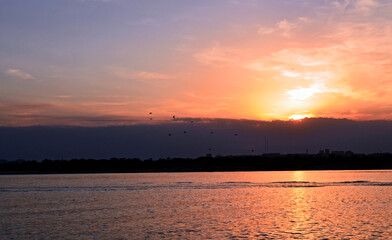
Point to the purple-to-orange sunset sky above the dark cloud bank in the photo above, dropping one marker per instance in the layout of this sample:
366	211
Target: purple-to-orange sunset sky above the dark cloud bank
111	62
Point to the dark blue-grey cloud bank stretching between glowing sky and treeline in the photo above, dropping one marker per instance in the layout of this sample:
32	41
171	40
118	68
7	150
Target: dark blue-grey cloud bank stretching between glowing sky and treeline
202	136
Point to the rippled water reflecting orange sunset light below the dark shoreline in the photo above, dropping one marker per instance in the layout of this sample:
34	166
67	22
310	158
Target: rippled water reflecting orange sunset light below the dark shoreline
224	205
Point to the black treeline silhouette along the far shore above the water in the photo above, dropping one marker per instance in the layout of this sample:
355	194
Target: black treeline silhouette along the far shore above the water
265	162
